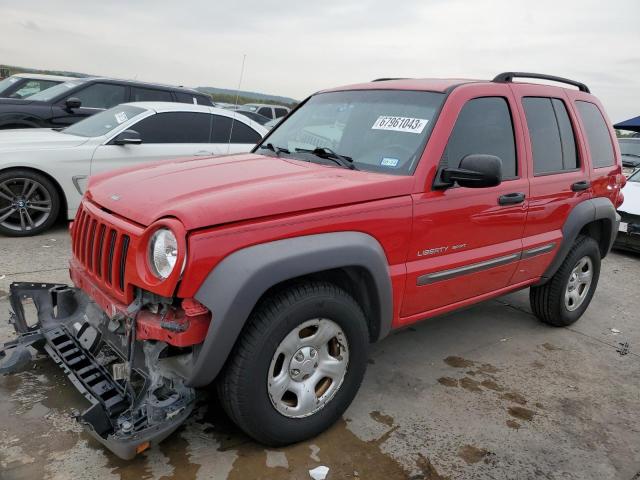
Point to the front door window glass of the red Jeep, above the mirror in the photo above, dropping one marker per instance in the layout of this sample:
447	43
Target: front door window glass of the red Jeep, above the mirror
484	126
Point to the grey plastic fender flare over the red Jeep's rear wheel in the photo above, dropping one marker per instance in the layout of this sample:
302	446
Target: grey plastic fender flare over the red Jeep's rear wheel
581	215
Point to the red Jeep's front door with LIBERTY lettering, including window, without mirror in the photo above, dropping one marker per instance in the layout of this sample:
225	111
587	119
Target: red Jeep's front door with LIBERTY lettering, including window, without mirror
466	242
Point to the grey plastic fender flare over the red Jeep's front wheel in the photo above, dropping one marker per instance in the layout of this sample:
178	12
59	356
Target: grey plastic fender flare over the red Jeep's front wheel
235	285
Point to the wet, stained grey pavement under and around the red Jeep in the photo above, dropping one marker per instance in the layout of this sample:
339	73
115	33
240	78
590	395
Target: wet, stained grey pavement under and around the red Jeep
484	393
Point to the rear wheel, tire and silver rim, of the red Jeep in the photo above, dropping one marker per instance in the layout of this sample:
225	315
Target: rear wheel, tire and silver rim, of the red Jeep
565	297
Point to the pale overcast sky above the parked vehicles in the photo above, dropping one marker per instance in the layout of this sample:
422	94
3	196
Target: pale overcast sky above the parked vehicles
297	47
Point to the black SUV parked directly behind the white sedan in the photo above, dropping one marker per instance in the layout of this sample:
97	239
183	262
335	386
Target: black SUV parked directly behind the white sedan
72	101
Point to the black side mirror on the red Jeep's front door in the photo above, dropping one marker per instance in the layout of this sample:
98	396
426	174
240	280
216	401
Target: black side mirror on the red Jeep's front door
475	171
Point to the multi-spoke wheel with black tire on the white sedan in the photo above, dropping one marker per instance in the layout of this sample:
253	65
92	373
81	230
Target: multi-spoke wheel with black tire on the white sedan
29	203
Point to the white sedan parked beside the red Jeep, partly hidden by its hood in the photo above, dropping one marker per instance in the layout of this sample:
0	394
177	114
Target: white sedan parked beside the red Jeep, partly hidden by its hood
43	172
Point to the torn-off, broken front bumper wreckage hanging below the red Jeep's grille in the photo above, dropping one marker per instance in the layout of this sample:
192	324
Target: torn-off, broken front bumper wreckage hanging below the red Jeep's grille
126	366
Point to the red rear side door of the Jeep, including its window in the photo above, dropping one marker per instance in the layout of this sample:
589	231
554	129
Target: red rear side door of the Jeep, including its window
558	168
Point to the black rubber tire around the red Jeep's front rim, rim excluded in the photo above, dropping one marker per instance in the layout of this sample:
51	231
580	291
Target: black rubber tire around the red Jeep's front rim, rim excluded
242	386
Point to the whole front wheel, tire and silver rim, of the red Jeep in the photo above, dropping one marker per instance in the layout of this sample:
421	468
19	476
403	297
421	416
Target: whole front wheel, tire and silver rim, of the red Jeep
297	365
